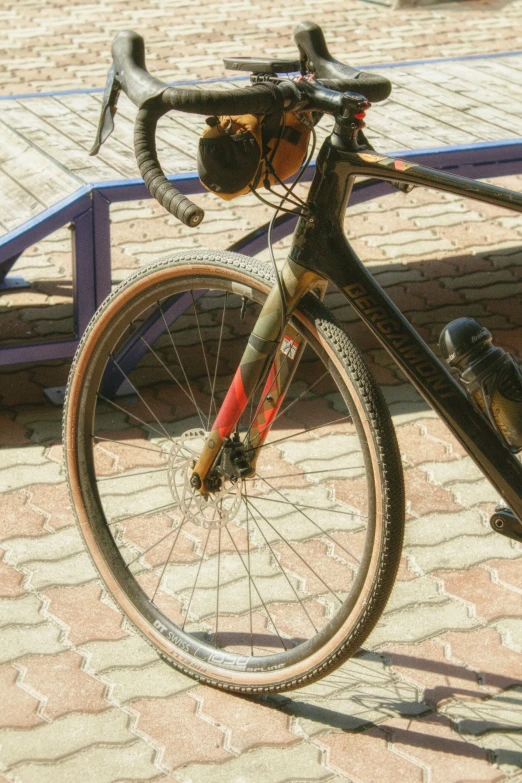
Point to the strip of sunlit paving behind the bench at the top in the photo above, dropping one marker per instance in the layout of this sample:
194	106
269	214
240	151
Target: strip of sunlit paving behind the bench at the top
53	44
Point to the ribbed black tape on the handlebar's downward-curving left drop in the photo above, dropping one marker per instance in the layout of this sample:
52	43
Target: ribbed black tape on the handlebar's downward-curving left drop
155	180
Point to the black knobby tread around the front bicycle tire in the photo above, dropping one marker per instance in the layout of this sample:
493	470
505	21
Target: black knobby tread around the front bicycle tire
385	442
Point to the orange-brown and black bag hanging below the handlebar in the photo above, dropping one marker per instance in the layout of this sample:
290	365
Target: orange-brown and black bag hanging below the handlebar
237	154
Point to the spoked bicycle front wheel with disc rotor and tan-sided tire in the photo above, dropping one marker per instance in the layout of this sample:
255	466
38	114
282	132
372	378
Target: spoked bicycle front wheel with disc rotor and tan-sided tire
267	582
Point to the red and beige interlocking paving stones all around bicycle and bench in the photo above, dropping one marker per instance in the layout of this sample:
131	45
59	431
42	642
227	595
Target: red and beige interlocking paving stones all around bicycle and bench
436	695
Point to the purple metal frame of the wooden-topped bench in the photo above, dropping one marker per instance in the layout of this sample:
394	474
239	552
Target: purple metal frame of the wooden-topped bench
87	212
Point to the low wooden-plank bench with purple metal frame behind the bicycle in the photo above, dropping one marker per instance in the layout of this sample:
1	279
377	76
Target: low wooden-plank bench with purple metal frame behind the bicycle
438	114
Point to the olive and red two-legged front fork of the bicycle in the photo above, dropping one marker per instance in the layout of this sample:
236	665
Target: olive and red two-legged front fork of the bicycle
261	360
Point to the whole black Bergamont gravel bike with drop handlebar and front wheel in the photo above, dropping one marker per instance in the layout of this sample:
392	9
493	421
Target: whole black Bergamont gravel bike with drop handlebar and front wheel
231	459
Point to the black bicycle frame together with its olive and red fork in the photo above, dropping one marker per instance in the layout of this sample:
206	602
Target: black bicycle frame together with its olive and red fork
320	252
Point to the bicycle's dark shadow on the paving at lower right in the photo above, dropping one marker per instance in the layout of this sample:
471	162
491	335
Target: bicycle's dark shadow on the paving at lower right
422	714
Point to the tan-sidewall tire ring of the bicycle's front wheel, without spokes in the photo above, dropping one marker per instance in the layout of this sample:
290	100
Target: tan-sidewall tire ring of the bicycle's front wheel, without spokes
246	274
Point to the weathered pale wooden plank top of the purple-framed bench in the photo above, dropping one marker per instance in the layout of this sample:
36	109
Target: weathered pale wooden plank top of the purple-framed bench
44	155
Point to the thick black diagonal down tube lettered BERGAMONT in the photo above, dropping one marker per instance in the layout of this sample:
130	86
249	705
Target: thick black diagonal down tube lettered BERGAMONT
427	373
